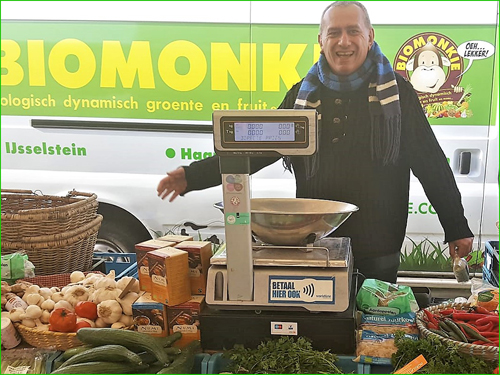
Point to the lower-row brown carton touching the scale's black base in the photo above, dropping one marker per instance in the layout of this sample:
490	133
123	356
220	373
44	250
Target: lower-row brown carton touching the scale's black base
185	318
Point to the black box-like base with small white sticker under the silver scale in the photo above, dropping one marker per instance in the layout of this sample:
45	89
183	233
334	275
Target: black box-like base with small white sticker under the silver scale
334	331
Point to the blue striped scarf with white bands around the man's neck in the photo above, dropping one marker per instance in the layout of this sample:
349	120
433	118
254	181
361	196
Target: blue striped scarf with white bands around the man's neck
383	102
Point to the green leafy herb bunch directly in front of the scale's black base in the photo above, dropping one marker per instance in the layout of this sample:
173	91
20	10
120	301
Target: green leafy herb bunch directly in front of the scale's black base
282	356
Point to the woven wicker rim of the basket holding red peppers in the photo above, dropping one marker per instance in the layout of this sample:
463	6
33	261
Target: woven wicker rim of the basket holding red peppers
488	353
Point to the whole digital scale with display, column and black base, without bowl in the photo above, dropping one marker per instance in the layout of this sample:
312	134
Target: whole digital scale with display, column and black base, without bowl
279	286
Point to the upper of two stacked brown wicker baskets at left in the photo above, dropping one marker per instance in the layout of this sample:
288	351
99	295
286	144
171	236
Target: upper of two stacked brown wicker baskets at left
27	214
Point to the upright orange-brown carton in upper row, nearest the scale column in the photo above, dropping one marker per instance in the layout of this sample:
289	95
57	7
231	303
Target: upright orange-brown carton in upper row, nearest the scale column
200	253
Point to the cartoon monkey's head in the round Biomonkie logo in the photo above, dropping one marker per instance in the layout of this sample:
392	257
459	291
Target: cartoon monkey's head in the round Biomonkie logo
427	66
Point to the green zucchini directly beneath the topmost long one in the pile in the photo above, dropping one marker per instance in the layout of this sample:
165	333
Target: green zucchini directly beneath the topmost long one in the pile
116	353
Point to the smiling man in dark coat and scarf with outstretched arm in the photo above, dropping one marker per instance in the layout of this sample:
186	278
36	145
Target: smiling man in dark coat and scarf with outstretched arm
373	132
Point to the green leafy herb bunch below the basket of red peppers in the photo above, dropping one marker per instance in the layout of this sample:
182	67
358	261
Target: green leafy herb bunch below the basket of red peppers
441	358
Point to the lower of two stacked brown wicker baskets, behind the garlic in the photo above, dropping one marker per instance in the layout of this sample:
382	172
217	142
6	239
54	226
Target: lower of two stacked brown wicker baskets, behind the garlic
59	253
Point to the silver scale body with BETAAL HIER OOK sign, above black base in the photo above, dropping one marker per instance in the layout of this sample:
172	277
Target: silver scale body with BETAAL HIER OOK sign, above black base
291	286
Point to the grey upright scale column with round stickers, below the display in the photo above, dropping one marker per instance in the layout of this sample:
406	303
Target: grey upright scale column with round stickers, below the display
237	224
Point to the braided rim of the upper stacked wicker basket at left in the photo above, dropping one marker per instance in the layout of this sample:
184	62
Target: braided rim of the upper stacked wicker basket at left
24	194
